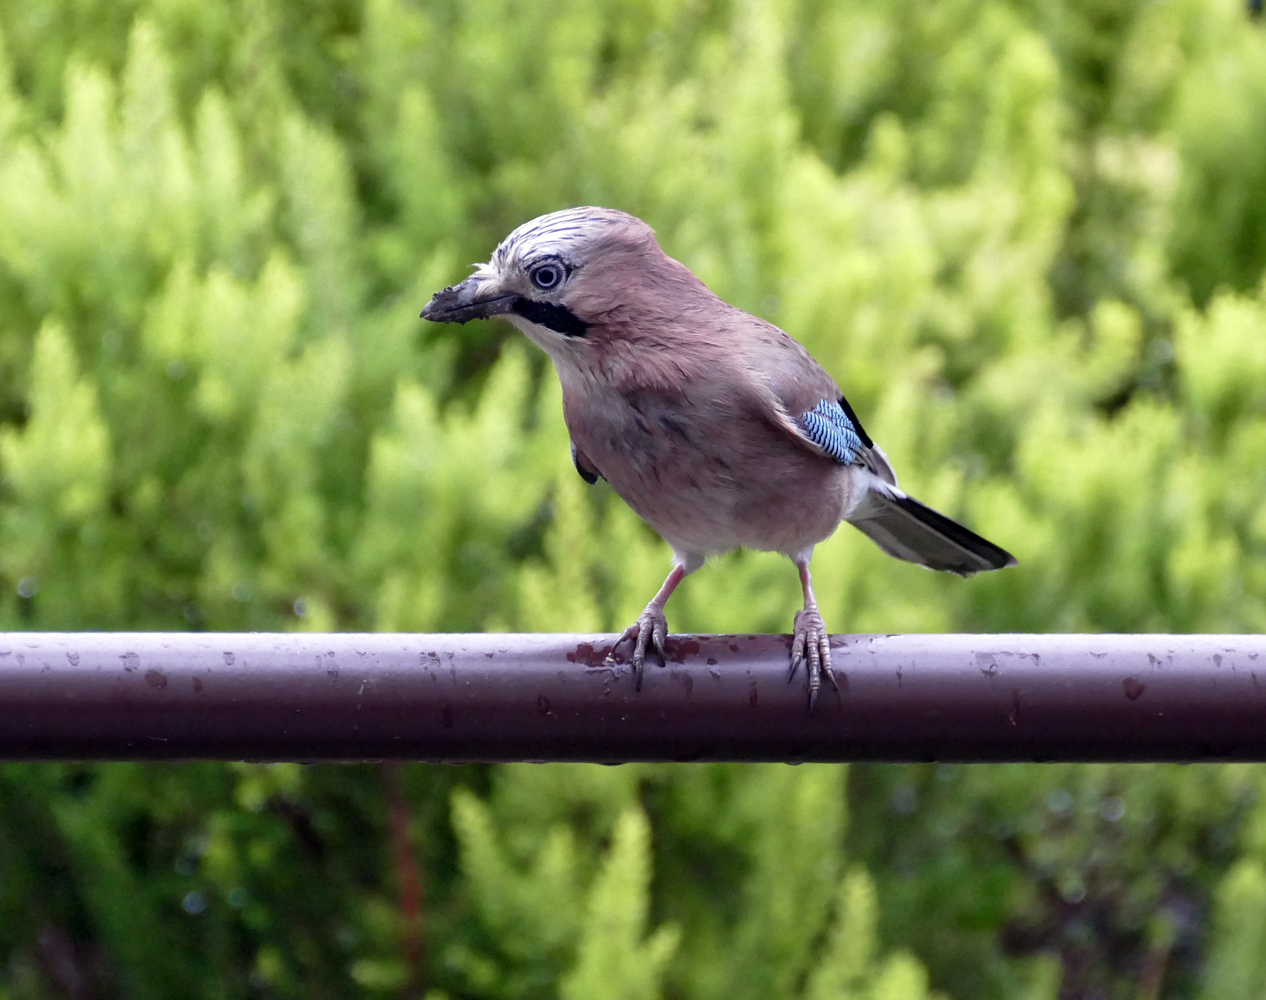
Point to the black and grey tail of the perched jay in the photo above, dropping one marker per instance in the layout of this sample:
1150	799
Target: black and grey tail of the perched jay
911	531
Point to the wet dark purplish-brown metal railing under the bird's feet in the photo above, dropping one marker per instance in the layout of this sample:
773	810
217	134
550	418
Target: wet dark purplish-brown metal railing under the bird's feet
551	698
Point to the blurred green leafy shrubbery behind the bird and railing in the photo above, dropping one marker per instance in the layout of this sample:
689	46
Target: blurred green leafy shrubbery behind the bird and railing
1027	237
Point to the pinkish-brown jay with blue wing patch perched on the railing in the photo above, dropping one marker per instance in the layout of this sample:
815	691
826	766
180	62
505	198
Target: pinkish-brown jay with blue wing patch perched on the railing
715	426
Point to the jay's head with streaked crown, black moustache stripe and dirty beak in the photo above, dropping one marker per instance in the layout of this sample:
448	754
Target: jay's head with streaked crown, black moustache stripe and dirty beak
559	277
